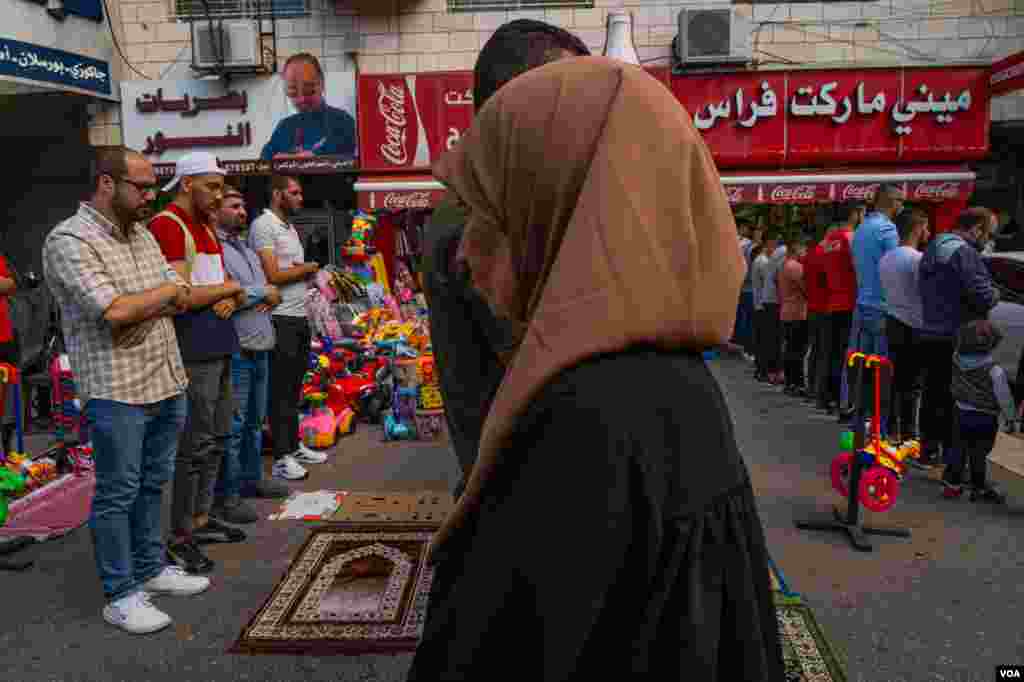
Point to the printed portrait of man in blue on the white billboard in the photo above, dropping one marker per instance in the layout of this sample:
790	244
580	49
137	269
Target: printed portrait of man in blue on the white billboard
317	130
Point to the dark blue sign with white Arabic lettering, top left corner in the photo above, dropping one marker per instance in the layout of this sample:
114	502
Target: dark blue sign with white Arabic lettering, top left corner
56	67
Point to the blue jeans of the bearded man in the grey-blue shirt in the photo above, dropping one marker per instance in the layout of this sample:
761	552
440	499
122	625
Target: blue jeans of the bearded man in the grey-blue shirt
243	465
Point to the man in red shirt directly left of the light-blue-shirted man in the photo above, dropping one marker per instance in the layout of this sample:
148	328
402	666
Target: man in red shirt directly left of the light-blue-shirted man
840	301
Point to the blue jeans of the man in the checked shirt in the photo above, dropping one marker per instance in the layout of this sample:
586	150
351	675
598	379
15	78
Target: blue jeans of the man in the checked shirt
134	450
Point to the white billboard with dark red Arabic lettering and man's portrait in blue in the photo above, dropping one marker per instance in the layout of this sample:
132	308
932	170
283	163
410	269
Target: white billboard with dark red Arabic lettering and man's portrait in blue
246	124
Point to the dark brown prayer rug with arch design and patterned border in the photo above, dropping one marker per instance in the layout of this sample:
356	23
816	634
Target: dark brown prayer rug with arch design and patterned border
353	589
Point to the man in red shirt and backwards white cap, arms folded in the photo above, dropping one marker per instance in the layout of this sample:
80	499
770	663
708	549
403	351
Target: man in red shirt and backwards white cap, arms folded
208	340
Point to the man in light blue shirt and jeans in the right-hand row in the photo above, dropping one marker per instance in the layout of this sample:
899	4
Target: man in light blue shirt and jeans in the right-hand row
873	239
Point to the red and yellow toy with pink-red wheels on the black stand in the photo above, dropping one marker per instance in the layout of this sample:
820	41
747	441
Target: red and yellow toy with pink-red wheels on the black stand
885	463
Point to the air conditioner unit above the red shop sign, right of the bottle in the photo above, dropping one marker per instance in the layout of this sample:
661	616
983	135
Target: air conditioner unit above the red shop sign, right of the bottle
713	36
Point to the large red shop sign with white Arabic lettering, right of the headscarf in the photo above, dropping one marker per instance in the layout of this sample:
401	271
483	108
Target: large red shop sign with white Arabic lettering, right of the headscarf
815	117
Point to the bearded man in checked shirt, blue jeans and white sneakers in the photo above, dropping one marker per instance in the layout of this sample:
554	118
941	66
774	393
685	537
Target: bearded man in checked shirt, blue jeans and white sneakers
117	294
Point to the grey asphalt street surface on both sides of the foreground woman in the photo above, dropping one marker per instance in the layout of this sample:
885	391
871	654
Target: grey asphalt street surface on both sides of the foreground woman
944	606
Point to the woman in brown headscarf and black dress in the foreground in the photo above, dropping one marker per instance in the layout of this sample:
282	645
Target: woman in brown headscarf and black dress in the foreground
609	529
